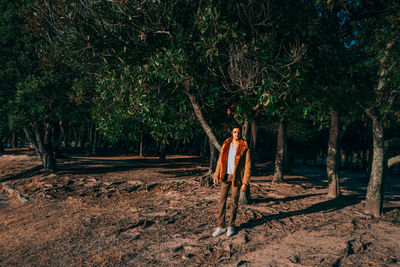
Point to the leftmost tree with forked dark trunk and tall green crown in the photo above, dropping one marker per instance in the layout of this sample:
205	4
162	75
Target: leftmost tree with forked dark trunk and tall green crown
39	84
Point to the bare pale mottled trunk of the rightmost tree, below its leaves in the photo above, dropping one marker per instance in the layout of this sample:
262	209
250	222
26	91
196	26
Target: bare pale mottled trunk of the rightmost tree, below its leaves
374	198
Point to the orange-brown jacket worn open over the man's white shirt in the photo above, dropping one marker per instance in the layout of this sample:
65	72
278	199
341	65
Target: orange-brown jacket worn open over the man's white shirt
241	174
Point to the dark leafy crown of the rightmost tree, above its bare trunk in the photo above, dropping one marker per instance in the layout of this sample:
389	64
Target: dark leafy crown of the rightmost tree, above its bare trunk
377	45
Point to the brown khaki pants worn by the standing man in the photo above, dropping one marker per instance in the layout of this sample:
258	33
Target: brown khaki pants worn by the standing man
226	184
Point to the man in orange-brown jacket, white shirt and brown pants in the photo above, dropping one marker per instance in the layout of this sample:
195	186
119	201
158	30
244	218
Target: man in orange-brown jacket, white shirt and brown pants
233	170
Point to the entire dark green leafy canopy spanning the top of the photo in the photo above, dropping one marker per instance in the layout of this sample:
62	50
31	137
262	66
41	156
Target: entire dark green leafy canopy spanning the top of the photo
131	63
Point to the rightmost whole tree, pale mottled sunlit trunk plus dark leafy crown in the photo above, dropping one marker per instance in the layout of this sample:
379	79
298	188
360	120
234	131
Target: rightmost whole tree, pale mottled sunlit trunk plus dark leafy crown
377	42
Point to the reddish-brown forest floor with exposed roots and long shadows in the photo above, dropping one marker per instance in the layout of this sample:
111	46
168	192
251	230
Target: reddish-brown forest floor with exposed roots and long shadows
125	210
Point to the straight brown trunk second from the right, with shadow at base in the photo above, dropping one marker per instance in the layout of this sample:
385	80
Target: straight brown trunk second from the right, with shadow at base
332	159
